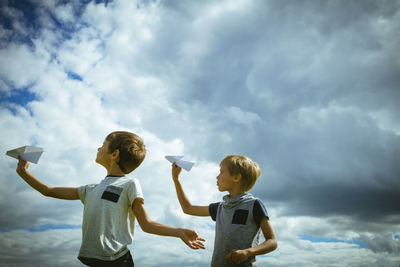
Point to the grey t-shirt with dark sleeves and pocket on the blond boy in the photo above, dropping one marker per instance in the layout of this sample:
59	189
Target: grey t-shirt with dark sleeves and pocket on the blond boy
237	227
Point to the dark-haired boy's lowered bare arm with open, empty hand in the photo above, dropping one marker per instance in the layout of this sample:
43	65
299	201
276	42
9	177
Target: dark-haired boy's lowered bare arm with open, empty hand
189	237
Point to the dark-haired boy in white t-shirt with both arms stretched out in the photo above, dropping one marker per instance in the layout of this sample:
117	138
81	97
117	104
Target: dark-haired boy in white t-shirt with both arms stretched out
110	207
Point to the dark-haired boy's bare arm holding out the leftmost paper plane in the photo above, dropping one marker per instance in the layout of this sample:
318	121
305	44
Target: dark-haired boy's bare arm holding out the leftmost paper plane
69	193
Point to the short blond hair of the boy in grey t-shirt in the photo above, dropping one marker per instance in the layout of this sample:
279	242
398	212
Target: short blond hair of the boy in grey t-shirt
239	164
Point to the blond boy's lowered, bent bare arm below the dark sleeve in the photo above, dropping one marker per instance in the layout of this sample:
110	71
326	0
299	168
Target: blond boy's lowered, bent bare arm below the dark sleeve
270	244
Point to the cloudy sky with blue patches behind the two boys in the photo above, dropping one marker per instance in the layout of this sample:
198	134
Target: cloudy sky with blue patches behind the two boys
310	90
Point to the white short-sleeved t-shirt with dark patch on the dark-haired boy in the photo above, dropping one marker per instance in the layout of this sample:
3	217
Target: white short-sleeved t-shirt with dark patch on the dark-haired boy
108	218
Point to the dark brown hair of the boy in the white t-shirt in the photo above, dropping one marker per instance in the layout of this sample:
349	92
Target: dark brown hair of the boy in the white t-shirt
132	150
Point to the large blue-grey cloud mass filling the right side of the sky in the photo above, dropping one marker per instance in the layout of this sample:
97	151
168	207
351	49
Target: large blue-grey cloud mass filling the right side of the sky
282	57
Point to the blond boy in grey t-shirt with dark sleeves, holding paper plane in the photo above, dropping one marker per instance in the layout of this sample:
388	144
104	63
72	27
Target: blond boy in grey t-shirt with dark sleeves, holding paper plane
239	217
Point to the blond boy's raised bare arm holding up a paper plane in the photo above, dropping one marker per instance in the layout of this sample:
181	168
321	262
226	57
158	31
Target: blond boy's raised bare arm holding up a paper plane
187	207
